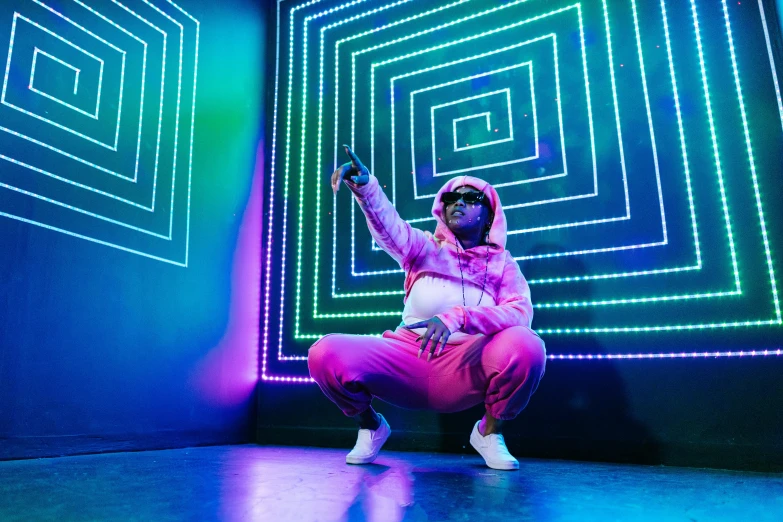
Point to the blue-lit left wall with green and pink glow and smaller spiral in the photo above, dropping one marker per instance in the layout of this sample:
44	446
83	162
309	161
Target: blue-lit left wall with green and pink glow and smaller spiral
131	179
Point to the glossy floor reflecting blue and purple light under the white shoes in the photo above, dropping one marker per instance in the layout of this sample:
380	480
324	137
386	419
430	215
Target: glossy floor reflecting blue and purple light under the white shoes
307	484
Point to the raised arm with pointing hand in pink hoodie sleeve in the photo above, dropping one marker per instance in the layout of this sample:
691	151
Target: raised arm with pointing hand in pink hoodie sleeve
392	233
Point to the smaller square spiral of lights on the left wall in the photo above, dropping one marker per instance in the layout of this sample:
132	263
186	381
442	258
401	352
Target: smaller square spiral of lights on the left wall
96	121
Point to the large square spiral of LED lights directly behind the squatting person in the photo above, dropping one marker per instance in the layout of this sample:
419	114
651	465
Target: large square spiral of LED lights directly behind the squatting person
635	199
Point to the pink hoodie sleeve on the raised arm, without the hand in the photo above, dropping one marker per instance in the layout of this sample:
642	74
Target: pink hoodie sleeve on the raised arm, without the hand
392	233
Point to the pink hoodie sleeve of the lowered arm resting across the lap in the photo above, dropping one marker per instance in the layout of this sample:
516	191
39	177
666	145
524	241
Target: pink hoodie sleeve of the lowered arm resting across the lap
513	308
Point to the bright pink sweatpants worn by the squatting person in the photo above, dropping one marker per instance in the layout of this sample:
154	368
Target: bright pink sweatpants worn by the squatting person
501	370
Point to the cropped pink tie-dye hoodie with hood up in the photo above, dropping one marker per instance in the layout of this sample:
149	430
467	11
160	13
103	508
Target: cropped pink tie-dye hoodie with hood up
420	253
